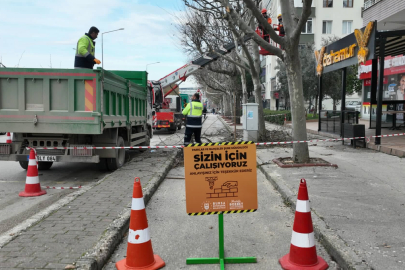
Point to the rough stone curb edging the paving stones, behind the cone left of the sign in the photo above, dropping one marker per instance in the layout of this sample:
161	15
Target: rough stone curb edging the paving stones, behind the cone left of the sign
97	257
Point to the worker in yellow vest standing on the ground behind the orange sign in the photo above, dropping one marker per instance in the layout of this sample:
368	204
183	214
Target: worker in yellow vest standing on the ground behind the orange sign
193	111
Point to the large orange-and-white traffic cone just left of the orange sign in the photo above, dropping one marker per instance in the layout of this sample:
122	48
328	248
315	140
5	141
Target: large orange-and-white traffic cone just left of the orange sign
139	250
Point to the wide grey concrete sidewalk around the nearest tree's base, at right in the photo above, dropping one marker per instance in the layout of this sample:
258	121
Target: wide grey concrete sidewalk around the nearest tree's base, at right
358	209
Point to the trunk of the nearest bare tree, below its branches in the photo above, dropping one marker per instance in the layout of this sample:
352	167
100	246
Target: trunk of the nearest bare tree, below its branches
299	132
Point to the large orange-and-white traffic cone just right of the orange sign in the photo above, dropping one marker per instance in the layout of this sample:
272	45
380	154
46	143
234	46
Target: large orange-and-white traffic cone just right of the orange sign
302	250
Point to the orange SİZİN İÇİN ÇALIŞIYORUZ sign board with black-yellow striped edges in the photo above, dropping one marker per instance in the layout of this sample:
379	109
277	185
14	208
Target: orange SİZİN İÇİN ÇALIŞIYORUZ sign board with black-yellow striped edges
220	178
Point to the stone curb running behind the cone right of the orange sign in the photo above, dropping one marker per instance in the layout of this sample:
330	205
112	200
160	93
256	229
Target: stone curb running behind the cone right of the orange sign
333	243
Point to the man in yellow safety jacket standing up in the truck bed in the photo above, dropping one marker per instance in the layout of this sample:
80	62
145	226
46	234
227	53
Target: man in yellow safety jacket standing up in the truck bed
85	50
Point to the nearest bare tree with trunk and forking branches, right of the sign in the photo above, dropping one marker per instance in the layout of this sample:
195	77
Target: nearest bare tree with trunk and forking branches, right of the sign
290	56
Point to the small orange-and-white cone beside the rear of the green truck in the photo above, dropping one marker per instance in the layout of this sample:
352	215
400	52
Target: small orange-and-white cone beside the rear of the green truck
32	186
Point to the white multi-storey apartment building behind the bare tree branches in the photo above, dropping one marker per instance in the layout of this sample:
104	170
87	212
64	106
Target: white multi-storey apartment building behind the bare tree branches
328	18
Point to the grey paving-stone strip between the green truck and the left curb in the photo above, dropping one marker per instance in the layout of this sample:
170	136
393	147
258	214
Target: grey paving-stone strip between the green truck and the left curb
68	233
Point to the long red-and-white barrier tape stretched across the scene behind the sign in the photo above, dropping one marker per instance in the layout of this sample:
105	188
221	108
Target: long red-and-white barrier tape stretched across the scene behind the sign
211	144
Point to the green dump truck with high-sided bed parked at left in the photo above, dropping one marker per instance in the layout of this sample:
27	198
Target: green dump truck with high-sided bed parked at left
73	108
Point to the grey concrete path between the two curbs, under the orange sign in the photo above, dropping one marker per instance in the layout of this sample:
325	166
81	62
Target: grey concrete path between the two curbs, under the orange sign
265	234
